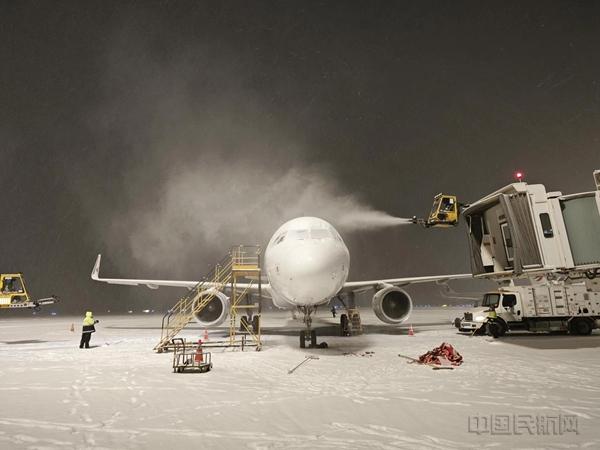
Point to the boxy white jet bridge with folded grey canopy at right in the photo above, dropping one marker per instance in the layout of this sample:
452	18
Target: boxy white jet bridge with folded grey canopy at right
522	229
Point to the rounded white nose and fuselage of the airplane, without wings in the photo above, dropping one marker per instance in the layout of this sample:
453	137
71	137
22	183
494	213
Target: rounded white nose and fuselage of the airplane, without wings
306	263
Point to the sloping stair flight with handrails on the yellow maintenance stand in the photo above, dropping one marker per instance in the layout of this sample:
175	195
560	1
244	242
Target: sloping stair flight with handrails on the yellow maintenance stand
195	301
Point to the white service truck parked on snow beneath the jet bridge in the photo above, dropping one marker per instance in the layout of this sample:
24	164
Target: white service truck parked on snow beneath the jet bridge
544	307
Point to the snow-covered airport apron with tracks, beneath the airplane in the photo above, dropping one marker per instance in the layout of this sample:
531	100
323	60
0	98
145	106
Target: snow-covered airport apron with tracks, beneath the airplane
120	394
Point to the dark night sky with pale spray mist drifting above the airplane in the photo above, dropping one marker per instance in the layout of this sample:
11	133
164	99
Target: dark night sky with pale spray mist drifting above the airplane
161	133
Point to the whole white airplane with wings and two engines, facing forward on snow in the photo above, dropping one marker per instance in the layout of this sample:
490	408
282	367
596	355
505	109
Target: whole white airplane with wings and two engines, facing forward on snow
307	265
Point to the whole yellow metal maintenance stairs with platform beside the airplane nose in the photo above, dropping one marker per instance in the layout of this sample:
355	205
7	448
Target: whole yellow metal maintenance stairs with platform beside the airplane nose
242	262
